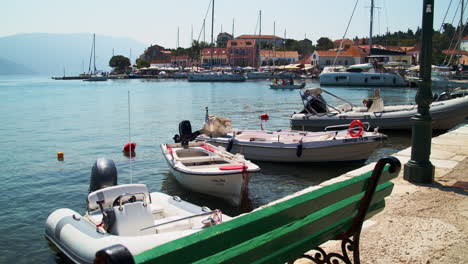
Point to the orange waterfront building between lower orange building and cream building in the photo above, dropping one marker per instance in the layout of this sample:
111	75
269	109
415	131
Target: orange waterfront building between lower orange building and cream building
243	52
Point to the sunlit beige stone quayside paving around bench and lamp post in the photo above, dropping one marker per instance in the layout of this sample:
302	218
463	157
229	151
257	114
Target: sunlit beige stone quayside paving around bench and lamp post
425	223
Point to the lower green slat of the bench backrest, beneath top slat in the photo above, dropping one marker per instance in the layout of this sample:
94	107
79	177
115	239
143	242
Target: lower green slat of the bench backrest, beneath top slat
292	240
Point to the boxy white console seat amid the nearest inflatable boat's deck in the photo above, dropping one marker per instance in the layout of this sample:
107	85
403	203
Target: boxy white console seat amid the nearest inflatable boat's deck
131	218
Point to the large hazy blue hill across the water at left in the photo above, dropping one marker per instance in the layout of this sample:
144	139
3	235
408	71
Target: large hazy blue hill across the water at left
50	54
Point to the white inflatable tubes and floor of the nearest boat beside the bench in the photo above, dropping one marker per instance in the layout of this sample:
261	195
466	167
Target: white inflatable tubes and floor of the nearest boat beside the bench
78	238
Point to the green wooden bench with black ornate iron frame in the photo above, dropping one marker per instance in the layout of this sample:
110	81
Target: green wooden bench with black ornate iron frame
284	231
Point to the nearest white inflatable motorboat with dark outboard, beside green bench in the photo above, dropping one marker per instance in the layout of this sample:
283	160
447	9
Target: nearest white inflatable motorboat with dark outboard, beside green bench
126	215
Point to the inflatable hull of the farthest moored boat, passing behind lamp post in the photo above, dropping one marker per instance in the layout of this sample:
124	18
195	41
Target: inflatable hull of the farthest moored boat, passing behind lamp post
445	115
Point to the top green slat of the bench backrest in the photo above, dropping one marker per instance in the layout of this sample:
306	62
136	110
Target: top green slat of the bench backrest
207	242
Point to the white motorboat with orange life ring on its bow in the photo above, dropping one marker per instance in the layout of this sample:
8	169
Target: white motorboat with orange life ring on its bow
345	145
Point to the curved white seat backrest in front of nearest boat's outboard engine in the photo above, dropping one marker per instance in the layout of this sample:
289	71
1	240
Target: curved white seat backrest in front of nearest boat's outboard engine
109	194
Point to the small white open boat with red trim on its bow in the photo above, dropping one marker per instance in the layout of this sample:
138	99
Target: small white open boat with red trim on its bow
204	168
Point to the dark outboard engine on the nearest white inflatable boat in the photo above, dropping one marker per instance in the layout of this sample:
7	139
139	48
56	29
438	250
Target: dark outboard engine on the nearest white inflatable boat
103	174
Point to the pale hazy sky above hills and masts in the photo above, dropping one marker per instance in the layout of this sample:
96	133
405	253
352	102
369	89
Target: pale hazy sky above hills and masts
156	22
